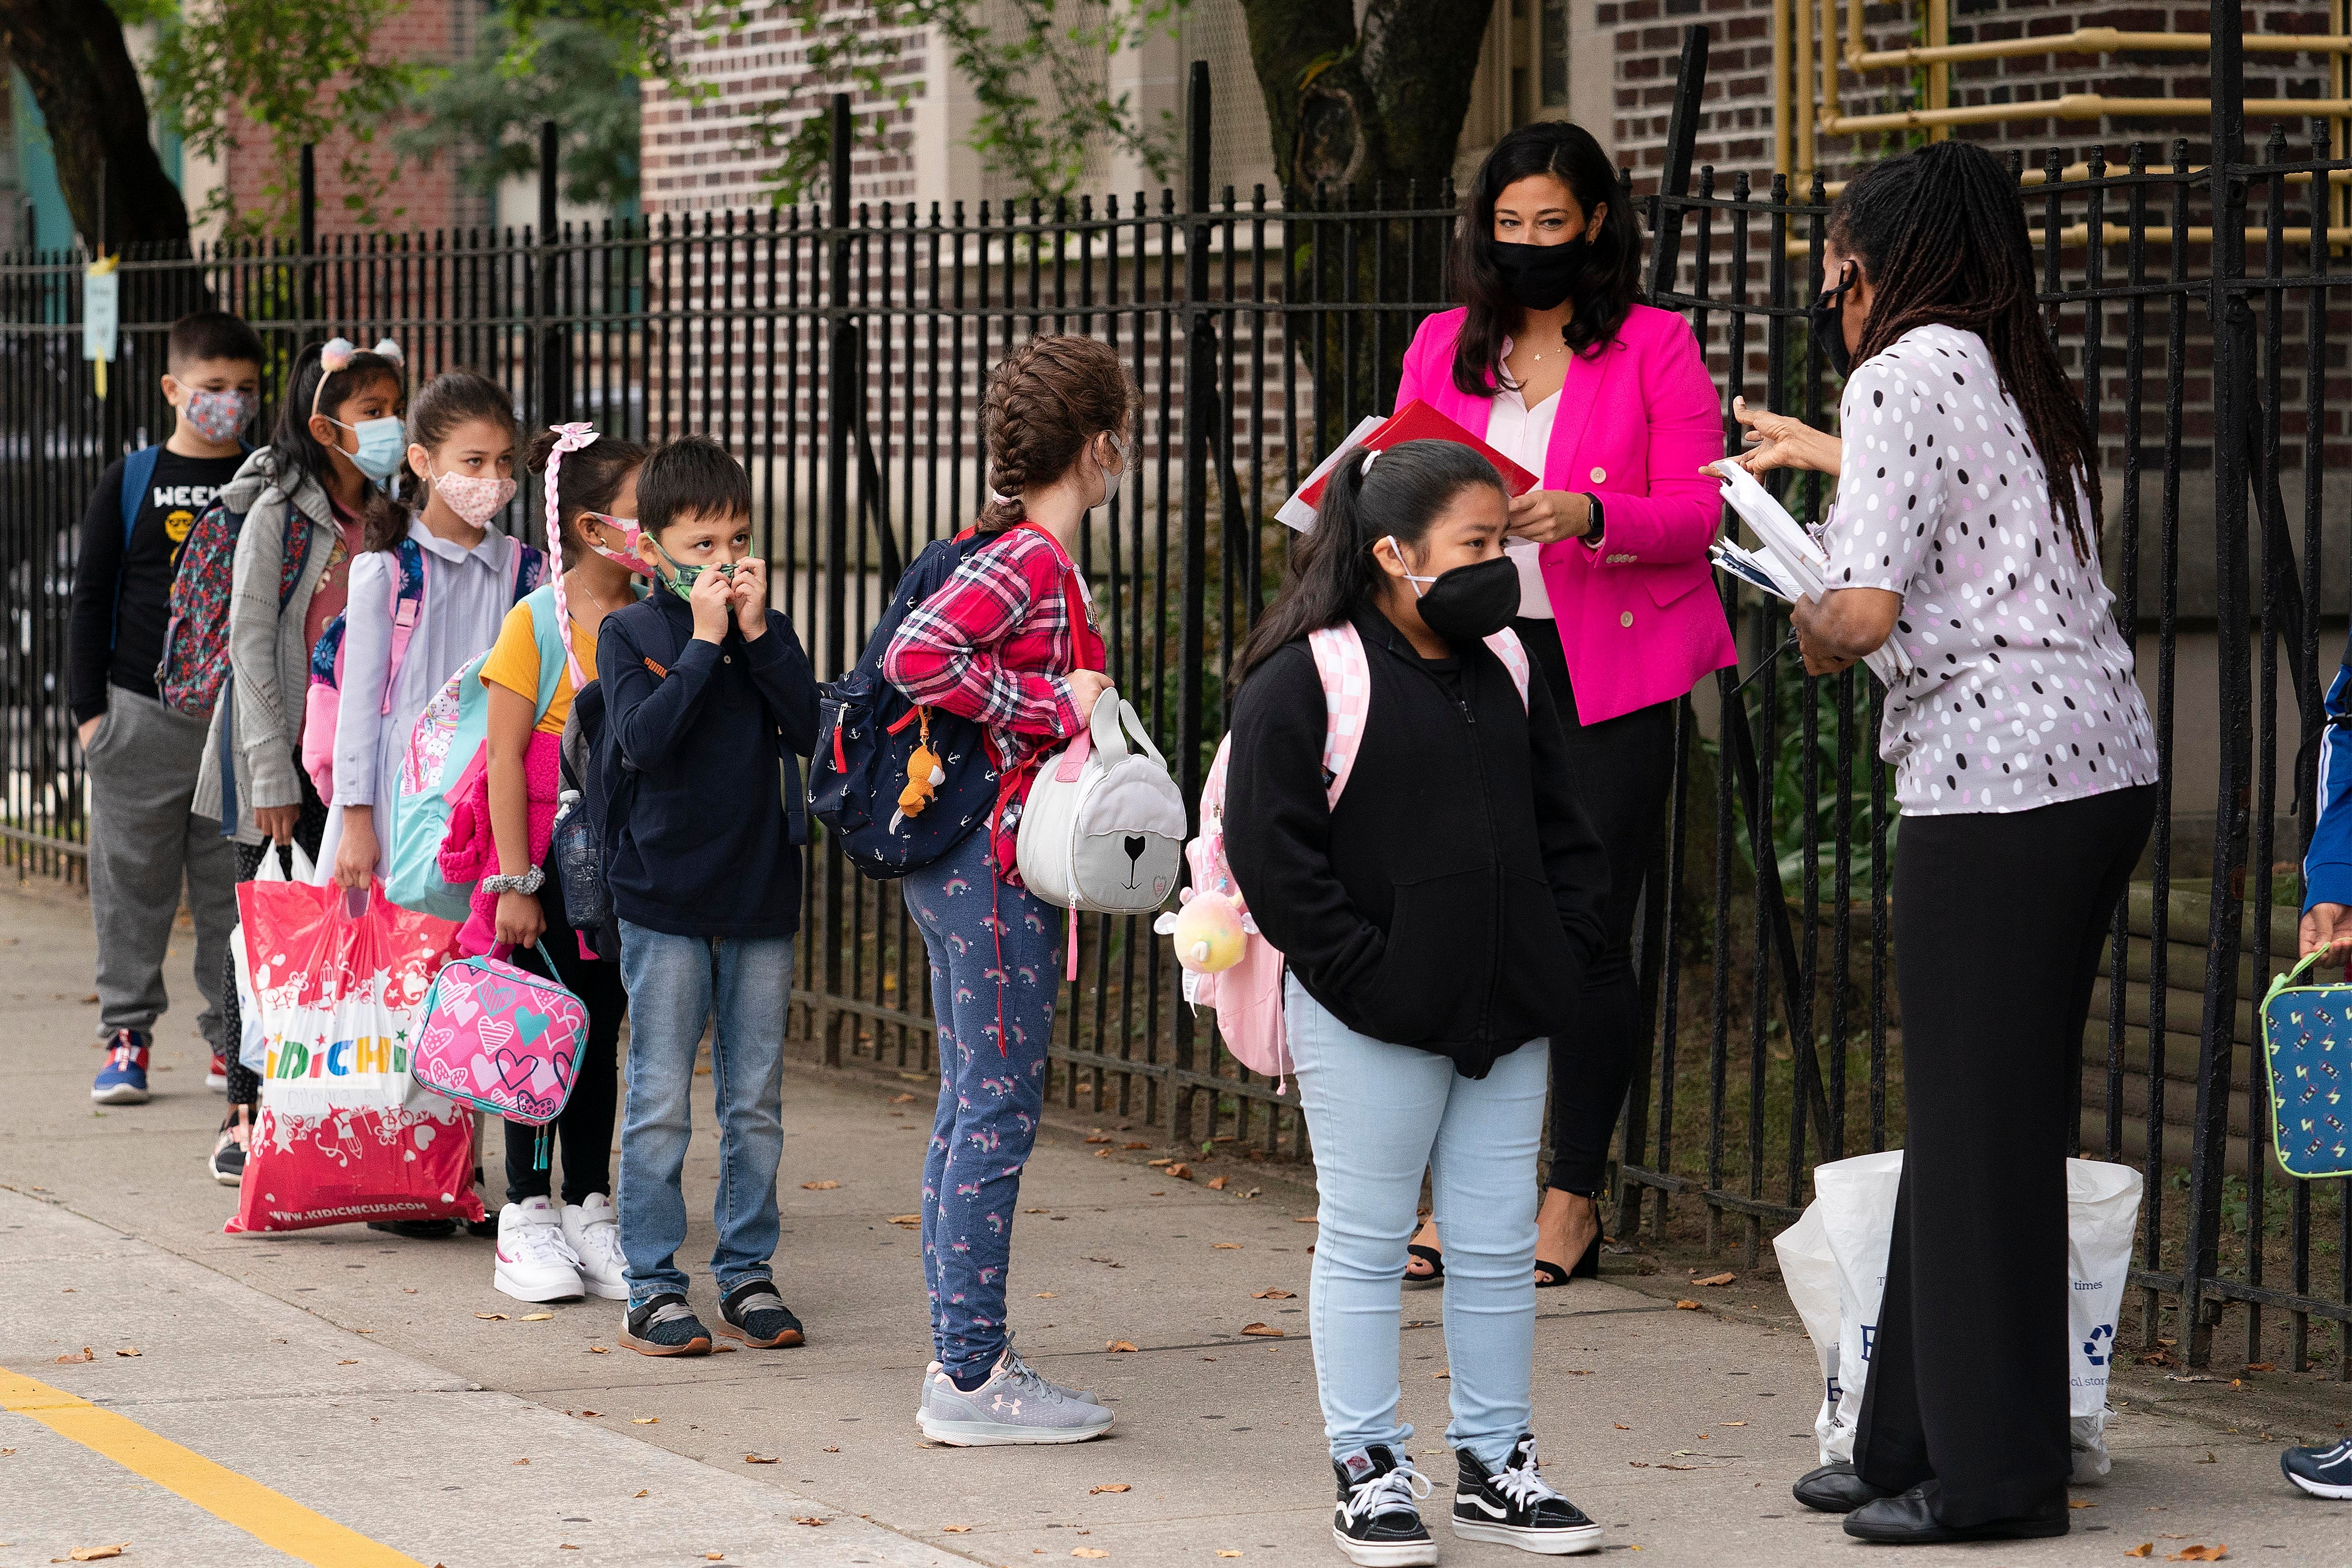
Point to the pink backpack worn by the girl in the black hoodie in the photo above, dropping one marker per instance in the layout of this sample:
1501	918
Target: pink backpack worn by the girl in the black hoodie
1248	998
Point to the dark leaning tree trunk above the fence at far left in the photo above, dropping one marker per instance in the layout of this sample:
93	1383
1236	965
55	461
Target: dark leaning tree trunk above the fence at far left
88	91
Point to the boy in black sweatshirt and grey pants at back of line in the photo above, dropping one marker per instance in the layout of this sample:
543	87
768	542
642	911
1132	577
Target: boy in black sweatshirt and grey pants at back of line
140	756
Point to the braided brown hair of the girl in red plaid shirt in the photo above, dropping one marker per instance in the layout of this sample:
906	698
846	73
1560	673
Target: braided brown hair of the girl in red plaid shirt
1045	403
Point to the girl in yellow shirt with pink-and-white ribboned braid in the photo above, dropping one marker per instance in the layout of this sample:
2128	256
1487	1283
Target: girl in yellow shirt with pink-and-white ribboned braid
589	478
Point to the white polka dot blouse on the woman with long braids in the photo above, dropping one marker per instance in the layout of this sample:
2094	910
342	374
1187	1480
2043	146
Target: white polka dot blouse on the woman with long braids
2022	690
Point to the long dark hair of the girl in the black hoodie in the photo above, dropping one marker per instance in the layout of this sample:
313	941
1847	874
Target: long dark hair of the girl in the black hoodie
1332	570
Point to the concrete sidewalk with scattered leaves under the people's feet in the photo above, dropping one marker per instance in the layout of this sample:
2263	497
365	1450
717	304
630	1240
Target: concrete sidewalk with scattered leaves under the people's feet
352	1372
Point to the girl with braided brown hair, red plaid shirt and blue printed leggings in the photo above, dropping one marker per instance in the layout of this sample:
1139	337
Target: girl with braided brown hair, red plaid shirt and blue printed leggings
1008	643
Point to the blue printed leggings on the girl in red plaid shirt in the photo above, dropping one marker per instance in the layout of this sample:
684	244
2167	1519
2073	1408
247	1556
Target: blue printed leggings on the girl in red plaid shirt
994	981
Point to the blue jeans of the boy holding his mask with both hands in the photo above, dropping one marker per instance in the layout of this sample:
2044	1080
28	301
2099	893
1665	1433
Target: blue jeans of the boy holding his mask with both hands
676	986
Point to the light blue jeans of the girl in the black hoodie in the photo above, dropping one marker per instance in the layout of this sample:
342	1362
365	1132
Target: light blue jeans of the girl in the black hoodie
1379	1115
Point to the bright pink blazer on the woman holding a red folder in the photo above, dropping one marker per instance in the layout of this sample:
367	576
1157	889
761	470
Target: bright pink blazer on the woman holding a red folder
1636	427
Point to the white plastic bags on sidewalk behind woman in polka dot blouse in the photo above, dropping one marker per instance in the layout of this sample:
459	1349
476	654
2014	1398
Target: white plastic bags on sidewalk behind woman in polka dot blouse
1847	1233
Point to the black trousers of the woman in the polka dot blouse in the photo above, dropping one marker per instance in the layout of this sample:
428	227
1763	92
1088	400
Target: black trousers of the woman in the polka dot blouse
2000	923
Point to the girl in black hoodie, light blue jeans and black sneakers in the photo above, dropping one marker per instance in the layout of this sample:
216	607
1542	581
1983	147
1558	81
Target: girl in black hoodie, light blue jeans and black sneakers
1438	920
